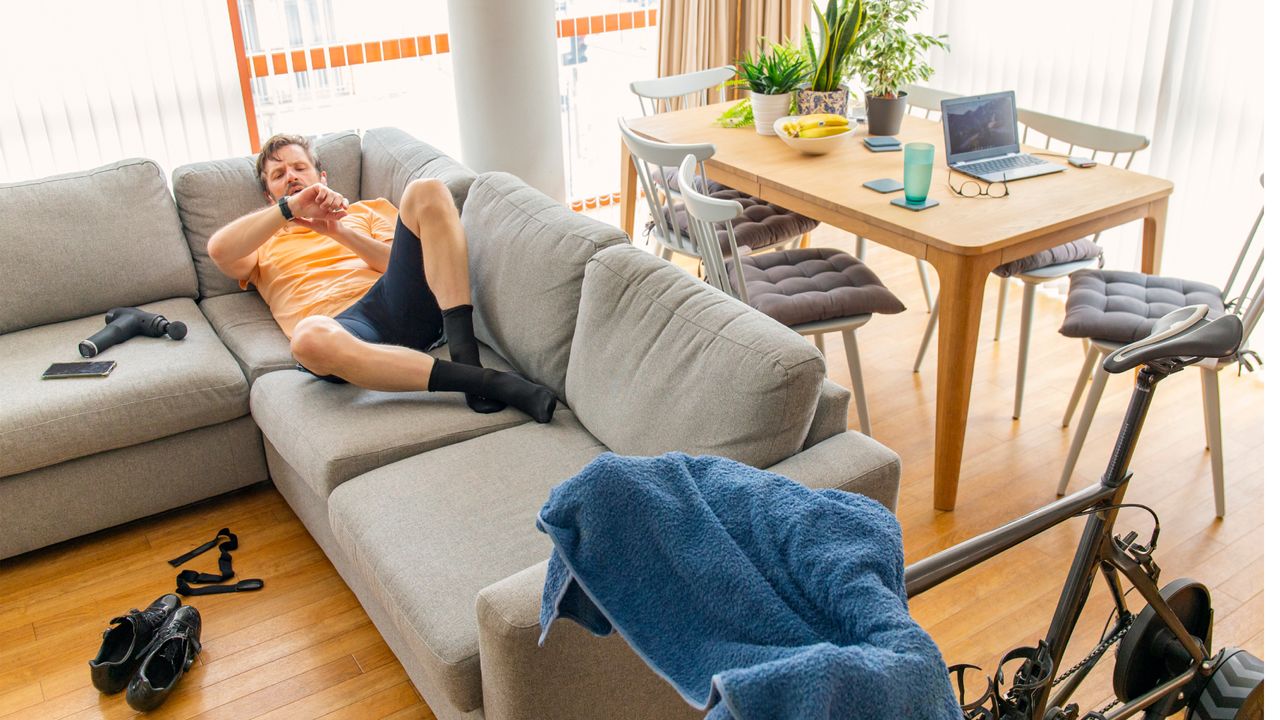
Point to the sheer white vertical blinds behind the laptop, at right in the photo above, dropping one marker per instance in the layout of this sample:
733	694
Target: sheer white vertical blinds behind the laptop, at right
1186	74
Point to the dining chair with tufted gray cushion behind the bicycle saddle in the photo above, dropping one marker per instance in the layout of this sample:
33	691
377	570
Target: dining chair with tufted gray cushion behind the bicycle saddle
1112	309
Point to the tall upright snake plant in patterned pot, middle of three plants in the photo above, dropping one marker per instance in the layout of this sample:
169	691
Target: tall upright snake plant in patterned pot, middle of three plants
833	58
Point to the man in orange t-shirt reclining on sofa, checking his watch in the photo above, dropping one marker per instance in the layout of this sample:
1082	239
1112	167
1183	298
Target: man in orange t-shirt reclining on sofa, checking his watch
362	294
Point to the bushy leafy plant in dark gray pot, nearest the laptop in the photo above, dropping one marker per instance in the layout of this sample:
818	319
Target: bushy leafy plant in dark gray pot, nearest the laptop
890	58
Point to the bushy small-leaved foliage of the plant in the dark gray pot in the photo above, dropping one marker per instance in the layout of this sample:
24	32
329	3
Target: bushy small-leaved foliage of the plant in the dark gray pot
889	57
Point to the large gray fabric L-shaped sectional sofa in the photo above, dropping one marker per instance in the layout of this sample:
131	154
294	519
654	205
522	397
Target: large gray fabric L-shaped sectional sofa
426	508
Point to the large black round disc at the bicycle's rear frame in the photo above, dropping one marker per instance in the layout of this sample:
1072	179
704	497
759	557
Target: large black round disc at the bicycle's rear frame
1141	662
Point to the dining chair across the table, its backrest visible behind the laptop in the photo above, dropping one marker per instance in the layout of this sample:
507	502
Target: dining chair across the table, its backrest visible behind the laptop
1118	148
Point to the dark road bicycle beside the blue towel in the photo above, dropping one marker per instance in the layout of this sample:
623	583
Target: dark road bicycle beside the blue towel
1164	660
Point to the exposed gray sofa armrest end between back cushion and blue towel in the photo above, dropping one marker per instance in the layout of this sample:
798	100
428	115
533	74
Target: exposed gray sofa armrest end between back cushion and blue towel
849	462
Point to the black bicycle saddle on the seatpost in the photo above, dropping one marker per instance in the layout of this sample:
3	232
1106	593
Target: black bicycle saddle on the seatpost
1183	334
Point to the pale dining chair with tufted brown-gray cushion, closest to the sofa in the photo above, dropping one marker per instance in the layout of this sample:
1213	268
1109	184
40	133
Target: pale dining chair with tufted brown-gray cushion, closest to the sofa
812	290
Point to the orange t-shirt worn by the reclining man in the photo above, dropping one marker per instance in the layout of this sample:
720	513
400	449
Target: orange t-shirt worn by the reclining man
301	272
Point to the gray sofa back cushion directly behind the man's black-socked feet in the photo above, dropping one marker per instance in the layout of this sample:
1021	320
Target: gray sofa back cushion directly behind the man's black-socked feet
527	256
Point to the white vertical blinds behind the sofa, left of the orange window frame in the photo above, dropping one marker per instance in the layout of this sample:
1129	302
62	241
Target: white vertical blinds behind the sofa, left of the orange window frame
89	83
